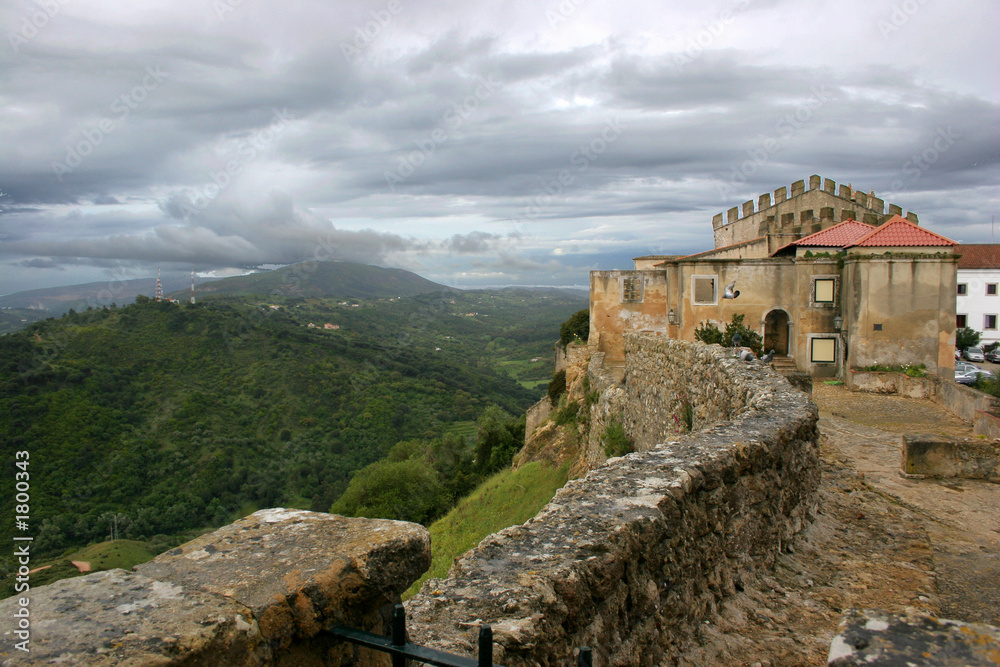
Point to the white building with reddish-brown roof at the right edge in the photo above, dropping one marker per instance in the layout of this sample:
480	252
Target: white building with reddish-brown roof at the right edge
977	305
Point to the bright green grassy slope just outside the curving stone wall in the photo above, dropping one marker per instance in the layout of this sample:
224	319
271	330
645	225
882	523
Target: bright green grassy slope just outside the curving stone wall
507	499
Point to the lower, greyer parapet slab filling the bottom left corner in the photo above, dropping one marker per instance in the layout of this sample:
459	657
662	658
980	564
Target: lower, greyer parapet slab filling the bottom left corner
121	618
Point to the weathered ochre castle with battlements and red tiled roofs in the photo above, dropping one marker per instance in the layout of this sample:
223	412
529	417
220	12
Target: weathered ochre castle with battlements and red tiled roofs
829	278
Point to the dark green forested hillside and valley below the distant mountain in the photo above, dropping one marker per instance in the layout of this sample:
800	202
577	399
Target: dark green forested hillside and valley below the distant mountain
184	416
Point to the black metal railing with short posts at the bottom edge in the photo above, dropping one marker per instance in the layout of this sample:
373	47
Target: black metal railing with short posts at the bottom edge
402	650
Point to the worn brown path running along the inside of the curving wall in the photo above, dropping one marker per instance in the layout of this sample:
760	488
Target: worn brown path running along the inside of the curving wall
879	541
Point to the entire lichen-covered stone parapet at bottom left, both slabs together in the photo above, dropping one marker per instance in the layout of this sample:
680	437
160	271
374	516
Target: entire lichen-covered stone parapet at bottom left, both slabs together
256	592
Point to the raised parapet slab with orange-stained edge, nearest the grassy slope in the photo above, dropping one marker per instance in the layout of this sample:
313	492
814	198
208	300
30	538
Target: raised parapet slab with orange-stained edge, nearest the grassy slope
300	572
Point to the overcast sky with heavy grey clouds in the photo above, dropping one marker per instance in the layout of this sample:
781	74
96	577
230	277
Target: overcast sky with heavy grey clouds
510	142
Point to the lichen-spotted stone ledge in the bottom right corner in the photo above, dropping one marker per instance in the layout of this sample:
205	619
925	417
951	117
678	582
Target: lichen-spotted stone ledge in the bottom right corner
873	638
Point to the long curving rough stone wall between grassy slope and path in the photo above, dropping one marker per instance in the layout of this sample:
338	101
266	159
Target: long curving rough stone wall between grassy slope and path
632	558
